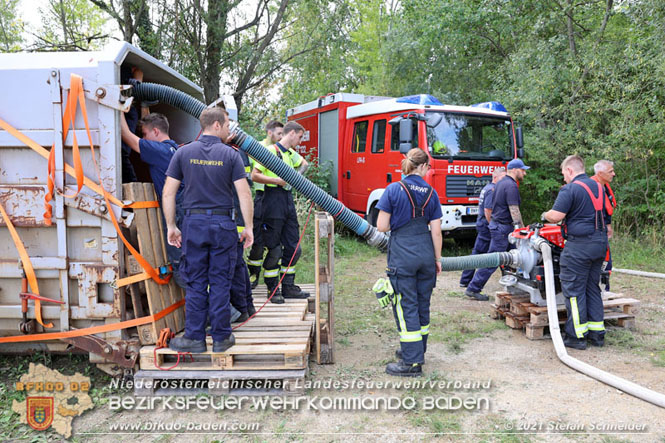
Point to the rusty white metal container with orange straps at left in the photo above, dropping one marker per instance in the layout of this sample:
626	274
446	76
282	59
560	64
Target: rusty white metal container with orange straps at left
79	257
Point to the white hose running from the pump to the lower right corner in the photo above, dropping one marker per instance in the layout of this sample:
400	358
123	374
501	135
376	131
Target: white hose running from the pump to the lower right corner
624	385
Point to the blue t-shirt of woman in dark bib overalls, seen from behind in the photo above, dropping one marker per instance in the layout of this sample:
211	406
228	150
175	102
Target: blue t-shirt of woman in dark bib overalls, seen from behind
395	201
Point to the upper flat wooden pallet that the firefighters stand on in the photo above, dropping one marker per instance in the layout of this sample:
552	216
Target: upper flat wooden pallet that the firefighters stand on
277	338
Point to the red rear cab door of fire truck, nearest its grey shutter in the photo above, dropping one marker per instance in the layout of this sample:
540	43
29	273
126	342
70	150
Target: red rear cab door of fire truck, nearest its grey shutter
354	173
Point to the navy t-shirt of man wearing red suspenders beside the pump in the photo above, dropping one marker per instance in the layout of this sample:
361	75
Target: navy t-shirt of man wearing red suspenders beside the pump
574	201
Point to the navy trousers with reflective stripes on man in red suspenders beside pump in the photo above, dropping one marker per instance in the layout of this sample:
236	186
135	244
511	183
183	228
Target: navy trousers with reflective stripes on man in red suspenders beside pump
580	265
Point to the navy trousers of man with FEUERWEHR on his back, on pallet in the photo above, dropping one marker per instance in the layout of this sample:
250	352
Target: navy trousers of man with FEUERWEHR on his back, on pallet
209	254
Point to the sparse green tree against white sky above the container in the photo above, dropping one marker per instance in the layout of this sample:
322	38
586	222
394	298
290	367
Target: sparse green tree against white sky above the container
70	25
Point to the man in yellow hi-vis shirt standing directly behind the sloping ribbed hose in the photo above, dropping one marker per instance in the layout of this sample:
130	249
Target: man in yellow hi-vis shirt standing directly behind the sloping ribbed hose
279	218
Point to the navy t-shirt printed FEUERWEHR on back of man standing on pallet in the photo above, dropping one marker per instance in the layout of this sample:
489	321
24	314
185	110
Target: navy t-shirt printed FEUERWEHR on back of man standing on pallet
208	167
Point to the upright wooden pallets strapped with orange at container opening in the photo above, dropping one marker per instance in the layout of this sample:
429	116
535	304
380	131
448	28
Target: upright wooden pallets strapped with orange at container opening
147	234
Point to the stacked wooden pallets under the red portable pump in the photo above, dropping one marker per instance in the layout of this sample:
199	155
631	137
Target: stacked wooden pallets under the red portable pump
520	313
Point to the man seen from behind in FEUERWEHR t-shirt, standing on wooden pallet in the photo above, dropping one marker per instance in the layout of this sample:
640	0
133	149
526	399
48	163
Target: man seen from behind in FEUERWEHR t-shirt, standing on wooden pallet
210	170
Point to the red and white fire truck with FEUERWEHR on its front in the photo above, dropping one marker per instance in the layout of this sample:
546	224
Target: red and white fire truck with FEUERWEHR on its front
364	138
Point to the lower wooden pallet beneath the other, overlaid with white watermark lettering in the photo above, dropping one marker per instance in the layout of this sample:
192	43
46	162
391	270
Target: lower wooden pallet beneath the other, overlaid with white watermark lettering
280	382
